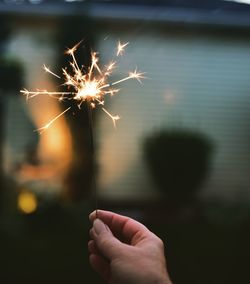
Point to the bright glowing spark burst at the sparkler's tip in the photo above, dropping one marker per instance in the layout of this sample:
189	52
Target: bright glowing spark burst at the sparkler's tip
86	84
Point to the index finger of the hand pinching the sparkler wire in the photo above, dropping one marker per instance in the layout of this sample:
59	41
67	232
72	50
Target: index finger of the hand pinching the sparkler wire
121	225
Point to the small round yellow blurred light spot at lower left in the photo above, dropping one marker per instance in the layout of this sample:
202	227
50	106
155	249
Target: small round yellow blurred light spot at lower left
27	202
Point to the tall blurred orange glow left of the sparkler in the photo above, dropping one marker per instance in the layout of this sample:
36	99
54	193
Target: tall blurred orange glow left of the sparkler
55	145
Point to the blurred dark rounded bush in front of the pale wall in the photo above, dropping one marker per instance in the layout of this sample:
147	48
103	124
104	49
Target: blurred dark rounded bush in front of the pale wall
178	161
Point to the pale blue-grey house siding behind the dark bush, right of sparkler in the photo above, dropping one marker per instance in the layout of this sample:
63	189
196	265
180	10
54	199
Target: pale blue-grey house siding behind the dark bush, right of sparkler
195	80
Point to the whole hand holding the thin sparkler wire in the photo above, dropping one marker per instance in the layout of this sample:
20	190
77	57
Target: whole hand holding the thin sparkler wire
124	251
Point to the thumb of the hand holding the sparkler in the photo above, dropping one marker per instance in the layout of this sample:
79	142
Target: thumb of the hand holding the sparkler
106	242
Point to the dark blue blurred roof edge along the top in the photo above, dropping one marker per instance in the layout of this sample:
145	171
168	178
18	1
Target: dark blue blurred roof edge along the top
126	12
